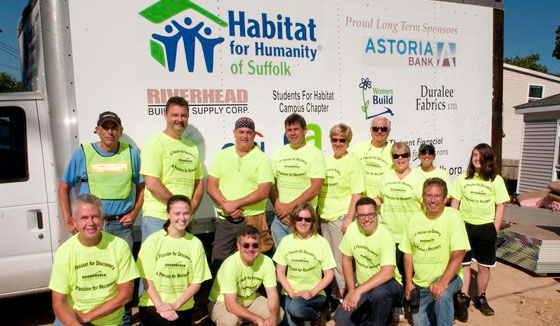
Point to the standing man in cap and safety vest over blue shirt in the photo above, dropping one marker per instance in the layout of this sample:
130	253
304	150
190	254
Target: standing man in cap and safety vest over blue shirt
107	169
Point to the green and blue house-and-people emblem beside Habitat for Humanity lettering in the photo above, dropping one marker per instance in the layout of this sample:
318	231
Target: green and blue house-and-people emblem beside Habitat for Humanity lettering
164	46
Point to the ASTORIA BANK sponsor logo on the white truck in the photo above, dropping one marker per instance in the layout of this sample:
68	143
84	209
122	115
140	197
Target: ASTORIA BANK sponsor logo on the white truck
414	52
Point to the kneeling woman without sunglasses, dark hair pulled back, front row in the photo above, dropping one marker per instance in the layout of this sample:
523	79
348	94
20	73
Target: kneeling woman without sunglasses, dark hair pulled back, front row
172	264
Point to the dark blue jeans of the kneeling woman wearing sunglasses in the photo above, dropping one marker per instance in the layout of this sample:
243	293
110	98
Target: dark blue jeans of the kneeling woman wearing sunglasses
299	310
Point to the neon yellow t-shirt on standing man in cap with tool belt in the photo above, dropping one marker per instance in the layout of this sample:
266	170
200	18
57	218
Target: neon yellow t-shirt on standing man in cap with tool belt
241	176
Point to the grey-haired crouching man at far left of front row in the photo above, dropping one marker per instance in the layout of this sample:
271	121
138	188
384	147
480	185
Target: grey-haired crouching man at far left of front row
93	271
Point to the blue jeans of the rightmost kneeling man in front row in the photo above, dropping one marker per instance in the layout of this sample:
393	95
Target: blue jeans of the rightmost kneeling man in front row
437	312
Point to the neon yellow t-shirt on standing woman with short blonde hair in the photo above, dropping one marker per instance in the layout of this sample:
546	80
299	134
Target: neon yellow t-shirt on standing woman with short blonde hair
345	177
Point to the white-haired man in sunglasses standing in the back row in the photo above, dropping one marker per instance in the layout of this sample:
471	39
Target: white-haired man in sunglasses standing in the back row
375	154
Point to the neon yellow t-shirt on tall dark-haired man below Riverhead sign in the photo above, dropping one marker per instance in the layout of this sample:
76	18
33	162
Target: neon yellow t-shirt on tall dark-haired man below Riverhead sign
175	163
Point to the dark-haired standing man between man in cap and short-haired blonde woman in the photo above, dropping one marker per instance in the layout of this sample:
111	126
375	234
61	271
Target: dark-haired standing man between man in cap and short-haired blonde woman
299	171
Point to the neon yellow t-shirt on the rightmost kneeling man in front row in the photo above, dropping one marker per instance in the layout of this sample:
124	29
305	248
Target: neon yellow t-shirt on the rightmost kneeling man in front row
431	241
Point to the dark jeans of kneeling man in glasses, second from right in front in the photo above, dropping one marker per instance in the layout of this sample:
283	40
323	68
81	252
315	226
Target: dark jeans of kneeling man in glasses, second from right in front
373	308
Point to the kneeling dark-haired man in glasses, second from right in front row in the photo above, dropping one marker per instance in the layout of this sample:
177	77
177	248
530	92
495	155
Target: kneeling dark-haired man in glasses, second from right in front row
377	287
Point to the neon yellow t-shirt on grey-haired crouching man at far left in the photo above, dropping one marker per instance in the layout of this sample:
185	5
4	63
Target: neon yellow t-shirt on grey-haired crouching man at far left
89	275
